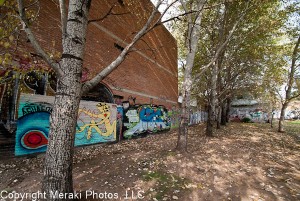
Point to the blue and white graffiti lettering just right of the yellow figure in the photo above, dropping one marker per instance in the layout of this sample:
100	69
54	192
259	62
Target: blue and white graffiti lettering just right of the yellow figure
146	118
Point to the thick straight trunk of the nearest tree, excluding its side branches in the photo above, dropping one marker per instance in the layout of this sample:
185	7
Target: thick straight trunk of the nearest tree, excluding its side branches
59	154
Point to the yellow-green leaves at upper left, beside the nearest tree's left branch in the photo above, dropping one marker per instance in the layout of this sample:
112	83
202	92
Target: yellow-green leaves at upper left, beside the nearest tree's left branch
15	52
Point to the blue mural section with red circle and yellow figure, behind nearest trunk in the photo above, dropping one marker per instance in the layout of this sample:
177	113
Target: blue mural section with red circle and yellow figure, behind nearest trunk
96	123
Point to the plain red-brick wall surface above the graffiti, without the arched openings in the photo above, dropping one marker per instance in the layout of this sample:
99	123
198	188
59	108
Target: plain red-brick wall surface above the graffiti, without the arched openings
148	72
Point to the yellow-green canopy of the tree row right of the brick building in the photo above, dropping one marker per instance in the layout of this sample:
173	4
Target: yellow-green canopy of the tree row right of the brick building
253	59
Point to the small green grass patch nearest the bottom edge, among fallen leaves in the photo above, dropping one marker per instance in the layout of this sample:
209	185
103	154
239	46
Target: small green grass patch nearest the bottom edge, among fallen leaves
165	184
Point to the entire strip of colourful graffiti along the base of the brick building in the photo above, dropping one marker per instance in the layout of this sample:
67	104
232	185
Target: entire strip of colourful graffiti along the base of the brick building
97	122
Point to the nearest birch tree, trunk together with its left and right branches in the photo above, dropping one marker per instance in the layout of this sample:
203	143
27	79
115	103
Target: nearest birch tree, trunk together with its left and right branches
59	155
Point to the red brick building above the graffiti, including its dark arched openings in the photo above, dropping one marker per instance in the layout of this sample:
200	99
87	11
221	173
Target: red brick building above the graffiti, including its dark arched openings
148	74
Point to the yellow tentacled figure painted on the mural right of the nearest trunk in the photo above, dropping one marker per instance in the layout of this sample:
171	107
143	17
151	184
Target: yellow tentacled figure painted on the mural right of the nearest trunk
104	115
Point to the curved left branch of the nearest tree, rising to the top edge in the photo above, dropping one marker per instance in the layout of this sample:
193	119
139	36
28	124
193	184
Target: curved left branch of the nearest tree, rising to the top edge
52	63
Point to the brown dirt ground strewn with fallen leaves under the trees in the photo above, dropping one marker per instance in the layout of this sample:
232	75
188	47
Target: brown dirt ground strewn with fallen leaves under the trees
244	162
